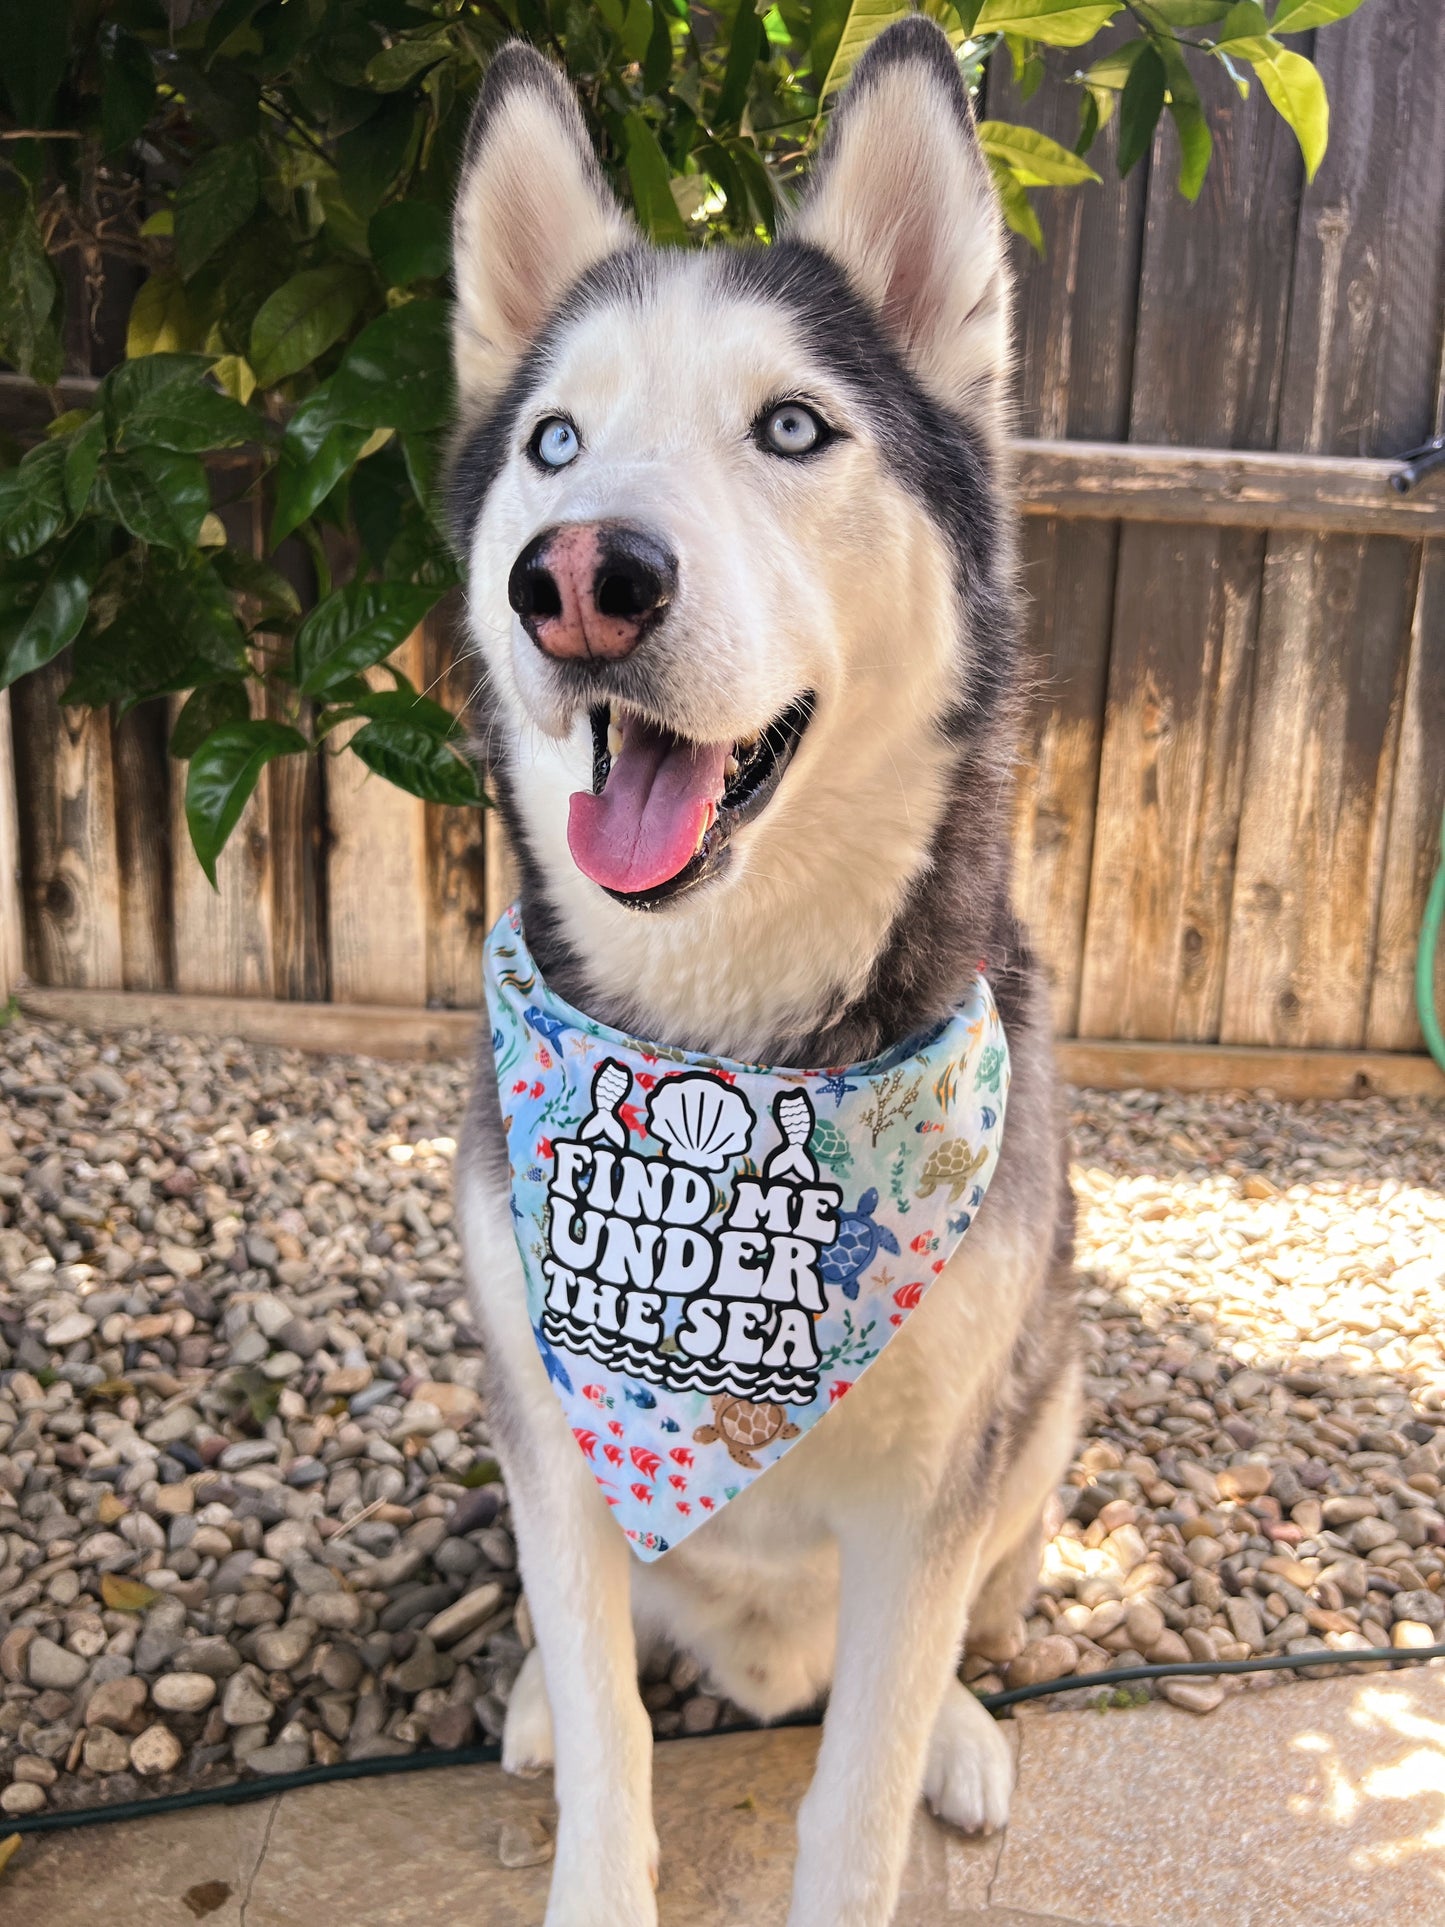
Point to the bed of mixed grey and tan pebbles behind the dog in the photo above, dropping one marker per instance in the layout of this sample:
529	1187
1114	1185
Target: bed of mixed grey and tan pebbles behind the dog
250	1519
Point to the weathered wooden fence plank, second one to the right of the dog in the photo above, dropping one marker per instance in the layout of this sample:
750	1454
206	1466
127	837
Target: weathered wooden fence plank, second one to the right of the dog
1213	317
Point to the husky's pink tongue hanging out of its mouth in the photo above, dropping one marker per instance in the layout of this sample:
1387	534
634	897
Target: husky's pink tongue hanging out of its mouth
662	795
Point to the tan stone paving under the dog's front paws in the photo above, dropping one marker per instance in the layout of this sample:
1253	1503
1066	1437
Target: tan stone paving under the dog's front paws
1319	1803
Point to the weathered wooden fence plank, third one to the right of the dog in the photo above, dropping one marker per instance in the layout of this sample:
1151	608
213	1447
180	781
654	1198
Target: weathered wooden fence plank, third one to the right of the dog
1359	379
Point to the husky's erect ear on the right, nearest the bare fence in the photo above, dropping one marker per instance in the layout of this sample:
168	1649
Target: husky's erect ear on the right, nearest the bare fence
905	205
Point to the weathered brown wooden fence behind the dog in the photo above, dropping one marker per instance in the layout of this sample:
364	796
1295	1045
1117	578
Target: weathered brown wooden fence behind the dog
1232	793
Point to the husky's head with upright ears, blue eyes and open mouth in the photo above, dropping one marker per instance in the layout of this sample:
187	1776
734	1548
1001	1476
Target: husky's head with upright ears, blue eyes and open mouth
729	515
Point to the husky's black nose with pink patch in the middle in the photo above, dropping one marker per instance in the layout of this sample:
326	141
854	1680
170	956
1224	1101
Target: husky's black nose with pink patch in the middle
592	589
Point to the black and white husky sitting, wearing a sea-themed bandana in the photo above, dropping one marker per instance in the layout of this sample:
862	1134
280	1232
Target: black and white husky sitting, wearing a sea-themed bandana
741	581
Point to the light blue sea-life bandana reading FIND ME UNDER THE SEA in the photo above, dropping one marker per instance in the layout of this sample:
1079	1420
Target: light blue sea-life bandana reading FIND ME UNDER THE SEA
716	1252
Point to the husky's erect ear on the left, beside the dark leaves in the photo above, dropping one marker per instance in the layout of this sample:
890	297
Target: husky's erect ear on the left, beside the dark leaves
533	215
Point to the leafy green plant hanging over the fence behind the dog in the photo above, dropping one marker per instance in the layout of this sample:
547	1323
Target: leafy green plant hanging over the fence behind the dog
275	180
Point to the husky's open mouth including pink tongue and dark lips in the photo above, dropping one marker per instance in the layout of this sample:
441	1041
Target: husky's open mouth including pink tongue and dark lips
662	808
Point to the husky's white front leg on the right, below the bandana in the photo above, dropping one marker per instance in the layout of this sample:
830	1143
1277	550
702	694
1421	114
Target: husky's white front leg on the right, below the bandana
901	1623
